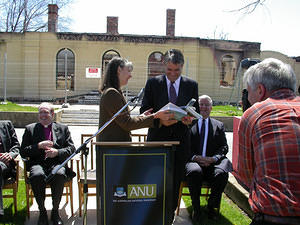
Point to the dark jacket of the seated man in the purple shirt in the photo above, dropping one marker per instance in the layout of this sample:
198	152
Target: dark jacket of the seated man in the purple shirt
34	134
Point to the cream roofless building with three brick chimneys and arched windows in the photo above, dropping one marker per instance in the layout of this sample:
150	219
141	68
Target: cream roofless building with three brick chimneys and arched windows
35	65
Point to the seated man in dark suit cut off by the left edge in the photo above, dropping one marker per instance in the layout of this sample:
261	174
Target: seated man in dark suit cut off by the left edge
9	150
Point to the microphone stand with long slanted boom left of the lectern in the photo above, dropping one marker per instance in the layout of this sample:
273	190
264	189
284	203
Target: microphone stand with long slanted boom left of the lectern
84	149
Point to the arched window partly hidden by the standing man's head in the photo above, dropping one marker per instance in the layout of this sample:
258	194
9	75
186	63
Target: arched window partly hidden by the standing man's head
155	64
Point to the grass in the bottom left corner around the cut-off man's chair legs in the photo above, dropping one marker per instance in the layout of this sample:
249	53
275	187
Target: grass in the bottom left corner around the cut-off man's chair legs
9	216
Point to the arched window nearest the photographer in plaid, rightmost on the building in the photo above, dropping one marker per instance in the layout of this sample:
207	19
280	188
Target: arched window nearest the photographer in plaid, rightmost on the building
228	71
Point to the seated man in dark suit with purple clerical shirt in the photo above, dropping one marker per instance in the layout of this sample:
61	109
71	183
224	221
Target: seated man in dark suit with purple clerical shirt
46	145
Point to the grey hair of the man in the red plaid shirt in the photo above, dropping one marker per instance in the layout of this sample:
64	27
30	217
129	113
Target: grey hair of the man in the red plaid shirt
272	73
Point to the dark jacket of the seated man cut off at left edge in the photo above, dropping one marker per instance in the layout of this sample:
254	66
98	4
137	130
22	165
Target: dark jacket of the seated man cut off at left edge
10	142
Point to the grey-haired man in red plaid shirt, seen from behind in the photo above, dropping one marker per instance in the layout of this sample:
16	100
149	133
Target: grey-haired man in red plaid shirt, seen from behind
269	143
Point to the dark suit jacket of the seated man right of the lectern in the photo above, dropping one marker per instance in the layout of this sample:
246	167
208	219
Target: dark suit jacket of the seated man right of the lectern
216	144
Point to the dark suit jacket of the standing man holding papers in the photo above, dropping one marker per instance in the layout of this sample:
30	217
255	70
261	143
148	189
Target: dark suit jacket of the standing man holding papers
156	96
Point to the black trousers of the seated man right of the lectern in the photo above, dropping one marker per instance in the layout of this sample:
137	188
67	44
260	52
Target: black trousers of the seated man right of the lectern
216	177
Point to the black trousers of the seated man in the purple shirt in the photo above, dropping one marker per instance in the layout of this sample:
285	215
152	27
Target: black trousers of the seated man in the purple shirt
38	184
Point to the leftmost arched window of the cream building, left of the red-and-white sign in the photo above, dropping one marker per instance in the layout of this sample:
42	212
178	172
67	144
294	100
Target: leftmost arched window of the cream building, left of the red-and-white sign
65	69
